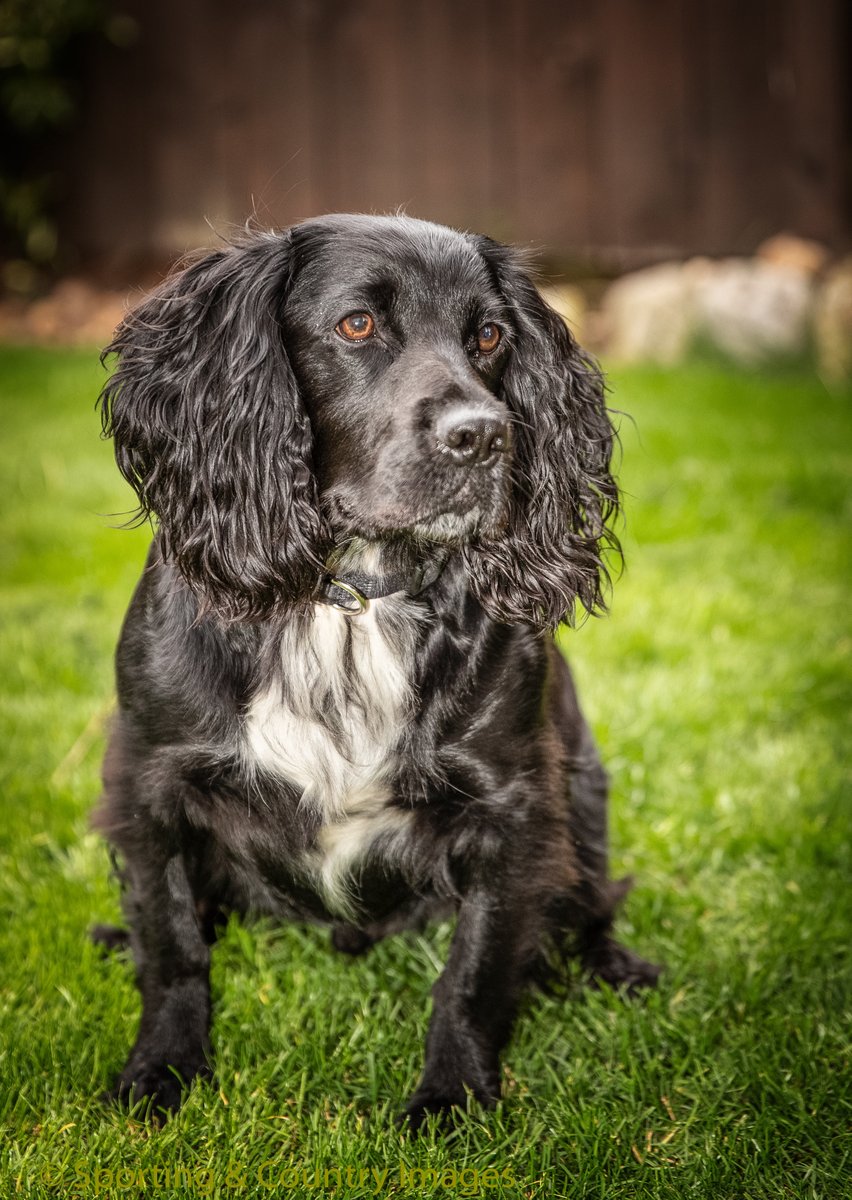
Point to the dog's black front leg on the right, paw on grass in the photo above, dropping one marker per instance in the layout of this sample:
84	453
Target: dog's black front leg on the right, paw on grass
475	1005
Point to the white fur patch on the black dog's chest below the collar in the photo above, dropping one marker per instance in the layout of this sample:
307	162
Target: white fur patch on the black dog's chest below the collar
331	723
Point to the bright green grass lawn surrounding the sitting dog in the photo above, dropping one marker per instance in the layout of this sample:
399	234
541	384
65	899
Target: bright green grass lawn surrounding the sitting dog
721	689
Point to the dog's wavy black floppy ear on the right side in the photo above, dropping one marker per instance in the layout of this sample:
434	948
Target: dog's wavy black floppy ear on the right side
553	553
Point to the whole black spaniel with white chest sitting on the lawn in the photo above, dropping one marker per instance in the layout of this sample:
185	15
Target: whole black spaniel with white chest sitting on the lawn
381	471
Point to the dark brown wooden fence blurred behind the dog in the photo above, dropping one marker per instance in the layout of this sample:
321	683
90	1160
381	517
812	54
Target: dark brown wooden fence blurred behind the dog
604	131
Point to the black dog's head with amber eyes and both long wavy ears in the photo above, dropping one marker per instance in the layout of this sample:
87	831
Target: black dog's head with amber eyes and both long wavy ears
364	377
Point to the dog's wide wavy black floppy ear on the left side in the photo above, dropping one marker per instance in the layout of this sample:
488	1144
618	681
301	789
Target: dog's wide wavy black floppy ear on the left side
211	431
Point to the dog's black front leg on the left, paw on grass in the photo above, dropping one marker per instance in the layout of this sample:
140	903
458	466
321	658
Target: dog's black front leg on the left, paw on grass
173	963
